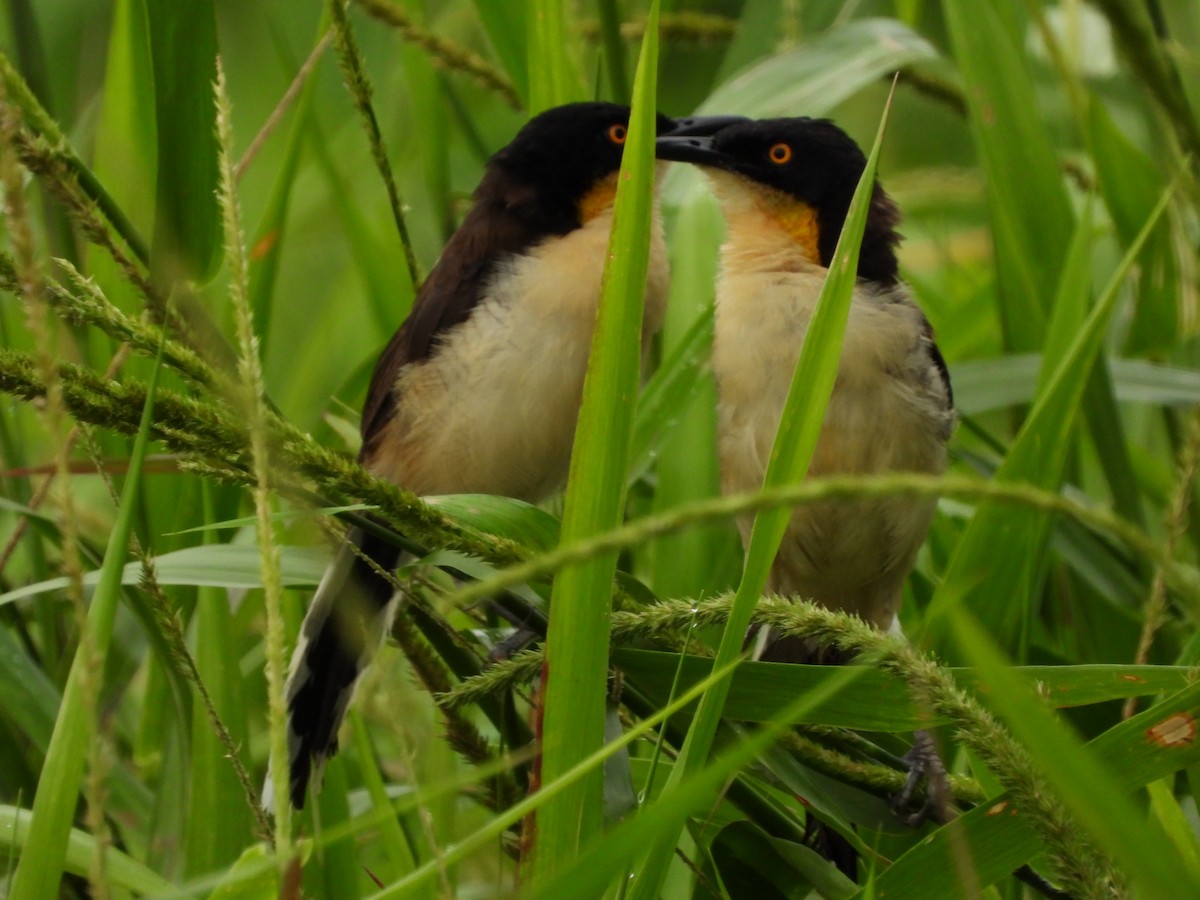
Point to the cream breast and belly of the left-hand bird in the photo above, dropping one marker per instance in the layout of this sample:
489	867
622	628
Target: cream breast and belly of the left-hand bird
494	410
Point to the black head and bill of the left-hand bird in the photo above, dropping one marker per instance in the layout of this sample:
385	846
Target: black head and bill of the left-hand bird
563	163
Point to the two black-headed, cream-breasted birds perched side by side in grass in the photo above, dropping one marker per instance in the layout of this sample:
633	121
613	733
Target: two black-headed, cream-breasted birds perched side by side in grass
481	388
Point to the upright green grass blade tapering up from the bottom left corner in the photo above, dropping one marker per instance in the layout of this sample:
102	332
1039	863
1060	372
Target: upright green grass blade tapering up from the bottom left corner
41	866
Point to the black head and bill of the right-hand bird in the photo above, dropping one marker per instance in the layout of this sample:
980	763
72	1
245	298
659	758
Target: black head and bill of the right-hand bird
811	161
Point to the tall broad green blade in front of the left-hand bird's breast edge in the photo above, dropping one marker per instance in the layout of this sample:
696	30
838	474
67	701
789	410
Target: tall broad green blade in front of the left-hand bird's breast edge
578	644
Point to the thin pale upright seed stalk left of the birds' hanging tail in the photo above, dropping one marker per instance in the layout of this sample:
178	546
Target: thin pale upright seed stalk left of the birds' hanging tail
251	374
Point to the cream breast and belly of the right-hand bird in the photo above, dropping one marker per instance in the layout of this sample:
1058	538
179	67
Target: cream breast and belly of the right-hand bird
848	555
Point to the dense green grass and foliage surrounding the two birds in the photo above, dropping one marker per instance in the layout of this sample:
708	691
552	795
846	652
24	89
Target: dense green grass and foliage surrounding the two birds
1031	147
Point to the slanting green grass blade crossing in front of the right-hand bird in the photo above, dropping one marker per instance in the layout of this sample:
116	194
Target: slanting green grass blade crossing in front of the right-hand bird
790	457
